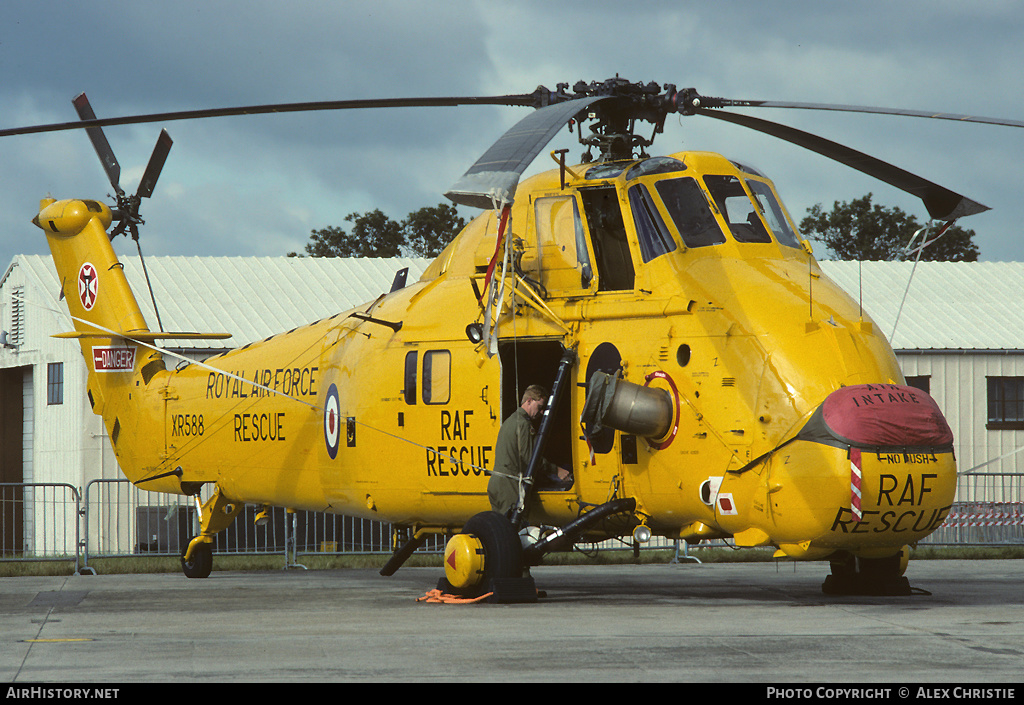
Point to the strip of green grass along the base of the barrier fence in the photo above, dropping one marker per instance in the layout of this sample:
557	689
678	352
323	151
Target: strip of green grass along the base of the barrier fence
148	564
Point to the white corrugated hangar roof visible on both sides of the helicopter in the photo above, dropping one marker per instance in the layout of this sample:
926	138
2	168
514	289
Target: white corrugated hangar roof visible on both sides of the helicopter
949	306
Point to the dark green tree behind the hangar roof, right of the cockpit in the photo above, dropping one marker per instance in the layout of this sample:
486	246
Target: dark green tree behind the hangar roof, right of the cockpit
861	230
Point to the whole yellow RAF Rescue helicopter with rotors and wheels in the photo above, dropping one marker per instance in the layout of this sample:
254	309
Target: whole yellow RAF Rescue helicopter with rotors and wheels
708	382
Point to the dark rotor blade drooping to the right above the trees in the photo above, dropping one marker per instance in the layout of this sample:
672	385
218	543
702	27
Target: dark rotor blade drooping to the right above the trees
941	202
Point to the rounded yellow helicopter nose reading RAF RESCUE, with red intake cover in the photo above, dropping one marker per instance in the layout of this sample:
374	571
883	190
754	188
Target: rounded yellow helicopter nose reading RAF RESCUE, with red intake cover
887	473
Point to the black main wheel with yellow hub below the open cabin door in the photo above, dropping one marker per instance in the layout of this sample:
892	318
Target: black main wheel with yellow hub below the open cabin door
488	550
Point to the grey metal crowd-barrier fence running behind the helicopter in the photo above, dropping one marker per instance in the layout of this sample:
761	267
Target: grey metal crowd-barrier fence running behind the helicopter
112	518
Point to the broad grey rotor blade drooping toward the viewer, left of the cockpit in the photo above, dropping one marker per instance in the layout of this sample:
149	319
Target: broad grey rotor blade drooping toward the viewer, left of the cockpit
496	175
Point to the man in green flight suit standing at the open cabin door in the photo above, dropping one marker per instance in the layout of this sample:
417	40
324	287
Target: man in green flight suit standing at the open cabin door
514	450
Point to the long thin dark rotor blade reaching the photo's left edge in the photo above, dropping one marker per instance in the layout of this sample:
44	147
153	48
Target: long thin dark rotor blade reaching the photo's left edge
521	100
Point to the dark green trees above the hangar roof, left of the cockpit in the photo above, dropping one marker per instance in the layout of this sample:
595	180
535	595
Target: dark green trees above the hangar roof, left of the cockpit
423	234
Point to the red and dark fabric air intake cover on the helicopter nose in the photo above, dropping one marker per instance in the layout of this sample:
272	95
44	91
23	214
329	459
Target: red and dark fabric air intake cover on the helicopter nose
879	417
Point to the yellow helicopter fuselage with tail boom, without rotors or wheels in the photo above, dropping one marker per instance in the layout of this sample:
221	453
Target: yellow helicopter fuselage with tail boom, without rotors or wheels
685	275
